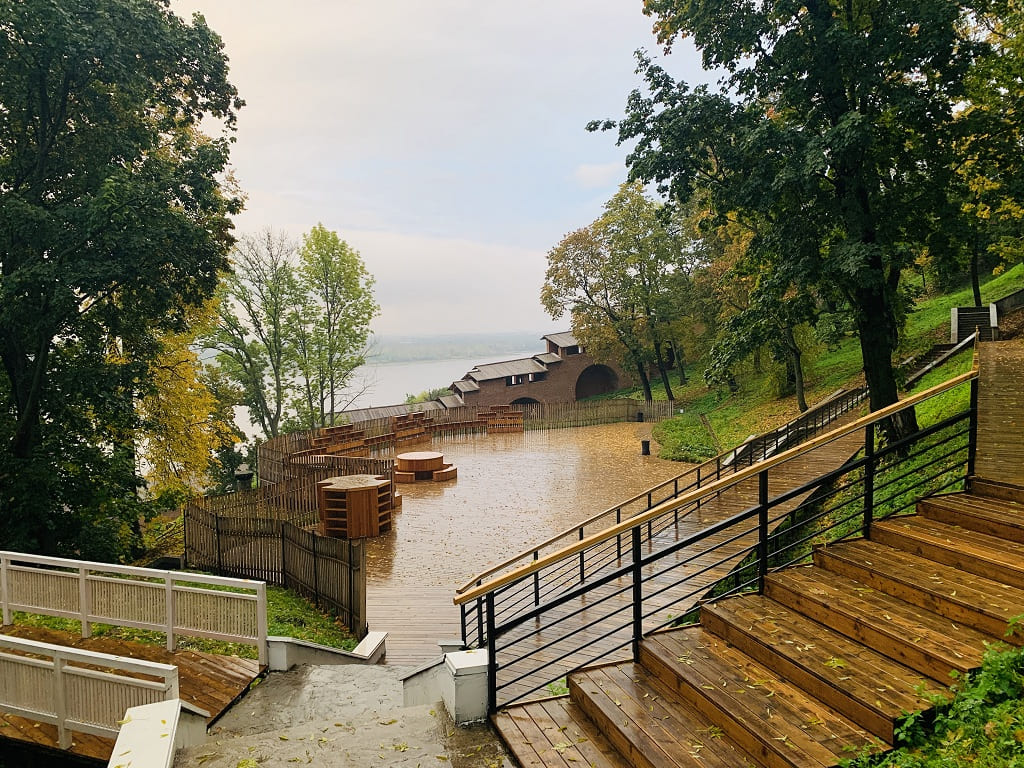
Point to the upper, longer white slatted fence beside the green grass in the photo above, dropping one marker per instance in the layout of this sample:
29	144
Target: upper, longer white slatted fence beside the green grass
168	602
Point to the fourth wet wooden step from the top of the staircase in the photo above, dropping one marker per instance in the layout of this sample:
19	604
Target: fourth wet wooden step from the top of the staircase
965	599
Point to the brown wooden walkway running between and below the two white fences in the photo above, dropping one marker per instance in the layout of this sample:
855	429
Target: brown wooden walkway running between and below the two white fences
210	682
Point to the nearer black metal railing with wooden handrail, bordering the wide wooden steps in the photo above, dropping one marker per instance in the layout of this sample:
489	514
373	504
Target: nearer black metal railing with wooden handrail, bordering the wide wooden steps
595	601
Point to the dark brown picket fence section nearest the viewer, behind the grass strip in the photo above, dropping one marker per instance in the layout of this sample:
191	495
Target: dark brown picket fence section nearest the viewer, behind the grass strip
330	572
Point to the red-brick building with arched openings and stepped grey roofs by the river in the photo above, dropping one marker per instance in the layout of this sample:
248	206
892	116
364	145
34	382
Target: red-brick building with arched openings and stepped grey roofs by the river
563	374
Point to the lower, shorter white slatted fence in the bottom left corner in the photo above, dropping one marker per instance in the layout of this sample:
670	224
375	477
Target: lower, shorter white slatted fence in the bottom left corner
55	686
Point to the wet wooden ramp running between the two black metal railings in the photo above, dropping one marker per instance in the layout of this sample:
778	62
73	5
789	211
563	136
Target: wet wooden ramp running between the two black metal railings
605	631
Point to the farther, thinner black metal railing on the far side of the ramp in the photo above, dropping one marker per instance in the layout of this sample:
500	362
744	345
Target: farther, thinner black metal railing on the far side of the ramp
570	575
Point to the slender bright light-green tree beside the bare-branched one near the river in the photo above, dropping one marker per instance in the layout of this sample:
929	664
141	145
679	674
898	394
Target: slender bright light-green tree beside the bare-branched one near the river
332	327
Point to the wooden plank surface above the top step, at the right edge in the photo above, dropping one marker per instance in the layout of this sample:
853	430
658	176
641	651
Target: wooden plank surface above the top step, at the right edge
1001	411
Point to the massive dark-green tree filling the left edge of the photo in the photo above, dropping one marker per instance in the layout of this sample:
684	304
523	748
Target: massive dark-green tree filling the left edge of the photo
113	224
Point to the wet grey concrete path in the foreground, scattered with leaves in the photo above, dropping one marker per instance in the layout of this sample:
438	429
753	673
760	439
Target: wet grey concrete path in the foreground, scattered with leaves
340	717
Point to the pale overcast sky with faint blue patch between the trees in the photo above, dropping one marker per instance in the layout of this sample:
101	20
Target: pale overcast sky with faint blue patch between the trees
442	139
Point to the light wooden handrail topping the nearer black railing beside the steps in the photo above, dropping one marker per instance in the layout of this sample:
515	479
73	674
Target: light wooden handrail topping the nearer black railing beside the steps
713	488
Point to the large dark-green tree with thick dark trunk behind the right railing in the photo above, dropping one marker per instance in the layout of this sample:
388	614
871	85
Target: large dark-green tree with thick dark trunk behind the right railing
832	130
